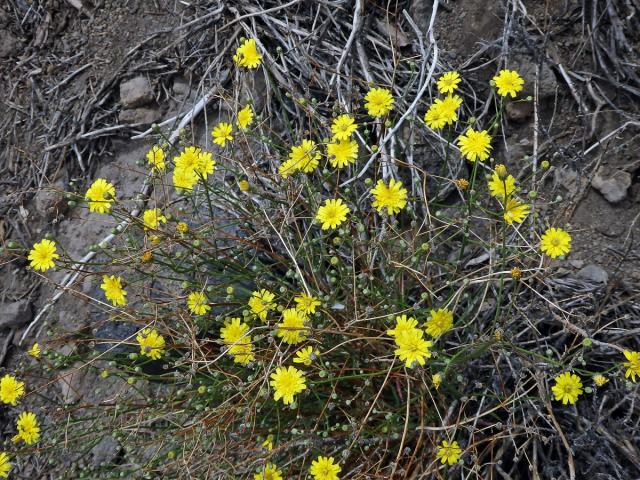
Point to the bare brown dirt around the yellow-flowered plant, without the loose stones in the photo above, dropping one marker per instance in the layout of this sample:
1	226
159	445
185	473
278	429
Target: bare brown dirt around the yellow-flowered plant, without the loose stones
61	68
